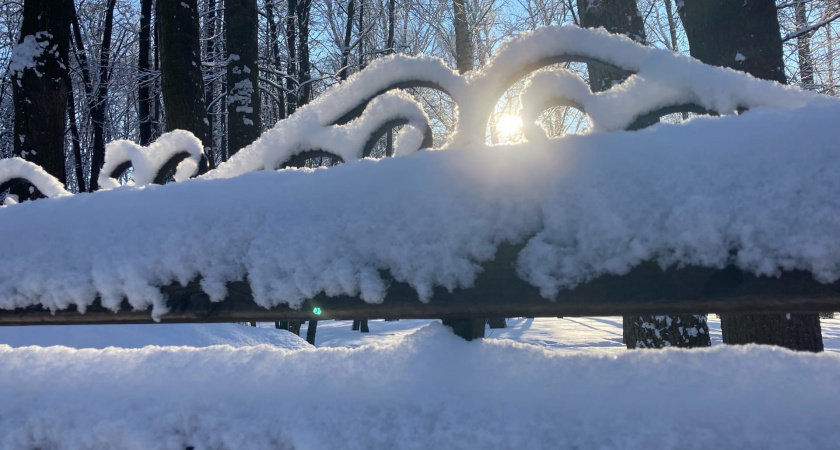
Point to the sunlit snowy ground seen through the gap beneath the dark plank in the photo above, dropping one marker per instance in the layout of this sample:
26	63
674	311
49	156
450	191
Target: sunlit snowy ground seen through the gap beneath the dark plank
590	335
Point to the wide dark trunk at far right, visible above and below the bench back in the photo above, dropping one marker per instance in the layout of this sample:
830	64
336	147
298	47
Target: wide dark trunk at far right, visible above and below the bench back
745	36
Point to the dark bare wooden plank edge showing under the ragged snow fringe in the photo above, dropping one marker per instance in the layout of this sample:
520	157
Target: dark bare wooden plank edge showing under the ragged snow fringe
497	292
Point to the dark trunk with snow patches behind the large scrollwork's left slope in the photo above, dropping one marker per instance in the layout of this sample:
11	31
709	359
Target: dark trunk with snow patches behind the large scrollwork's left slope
243	98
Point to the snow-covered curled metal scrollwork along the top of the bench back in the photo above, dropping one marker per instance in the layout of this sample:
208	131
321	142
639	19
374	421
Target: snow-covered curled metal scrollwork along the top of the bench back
346	122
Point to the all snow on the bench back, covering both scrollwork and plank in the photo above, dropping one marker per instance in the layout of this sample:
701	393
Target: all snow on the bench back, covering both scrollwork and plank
761	183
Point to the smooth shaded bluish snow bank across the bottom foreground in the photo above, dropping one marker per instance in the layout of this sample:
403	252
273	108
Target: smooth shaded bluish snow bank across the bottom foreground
430	390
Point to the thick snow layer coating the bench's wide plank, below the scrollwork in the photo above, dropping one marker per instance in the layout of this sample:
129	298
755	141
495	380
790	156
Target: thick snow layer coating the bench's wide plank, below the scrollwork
762	183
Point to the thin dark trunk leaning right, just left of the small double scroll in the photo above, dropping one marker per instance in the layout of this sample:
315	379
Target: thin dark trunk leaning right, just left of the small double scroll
97	112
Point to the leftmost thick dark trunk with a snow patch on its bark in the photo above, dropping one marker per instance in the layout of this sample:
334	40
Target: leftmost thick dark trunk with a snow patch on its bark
39	87
